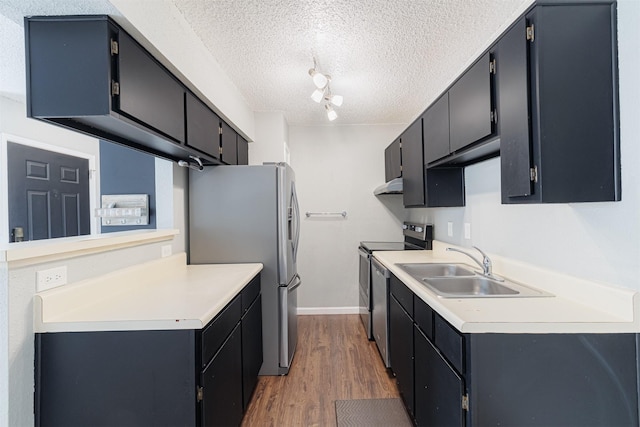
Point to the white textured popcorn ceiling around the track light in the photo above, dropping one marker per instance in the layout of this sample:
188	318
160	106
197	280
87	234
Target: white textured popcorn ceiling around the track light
389	59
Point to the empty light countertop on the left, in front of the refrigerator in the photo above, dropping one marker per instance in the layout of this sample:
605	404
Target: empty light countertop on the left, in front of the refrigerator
157	295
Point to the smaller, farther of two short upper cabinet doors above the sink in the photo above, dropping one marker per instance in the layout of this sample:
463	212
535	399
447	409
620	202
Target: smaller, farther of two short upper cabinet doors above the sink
435	122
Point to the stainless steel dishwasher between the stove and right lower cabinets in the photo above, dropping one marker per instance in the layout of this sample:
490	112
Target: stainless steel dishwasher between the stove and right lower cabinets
380	296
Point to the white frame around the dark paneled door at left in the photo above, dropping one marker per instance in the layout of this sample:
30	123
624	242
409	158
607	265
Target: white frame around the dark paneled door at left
5	138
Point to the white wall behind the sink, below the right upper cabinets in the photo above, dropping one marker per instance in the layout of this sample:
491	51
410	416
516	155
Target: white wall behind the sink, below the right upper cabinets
595	241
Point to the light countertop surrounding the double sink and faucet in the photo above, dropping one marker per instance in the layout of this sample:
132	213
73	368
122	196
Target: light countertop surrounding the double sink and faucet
576	306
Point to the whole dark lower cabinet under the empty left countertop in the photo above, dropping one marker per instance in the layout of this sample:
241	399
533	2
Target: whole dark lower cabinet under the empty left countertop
161	378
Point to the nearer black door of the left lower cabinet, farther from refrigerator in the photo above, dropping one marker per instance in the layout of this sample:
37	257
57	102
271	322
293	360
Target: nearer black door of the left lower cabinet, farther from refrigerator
222	385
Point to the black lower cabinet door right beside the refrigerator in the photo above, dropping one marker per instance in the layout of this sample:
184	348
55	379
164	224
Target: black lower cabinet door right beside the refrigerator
251	350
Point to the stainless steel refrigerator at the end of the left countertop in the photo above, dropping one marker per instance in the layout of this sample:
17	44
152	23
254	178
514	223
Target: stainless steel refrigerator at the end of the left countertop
243	214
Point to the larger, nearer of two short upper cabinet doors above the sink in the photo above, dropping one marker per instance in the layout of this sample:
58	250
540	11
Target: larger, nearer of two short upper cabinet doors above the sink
470	106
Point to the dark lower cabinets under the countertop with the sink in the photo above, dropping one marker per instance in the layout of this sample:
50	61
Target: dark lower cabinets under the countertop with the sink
490	379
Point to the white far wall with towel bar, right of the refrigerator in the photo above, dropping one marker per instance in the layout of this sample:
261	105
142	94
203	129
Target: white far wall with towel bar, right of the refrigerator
337	168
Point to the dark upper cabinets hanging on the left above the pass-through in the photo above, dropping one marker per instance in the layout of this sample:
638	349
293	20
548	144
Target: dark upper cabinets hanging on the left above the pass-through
87	74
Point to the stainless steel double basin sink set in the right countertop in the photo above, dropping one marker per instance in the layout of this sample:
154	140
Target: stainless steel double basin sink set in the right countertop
460	281
